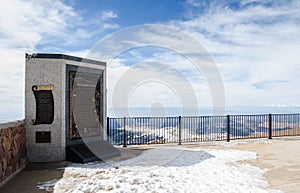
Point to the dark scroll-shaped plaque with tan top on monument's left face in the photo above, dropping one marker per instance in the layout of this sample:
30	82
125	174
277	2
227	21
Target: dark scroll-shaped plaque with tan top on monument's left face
44	104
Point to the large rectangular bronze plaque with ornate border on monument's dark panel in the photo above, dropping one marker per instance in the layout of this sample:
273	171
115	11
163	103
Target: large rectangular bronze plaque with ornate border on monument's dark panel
85	102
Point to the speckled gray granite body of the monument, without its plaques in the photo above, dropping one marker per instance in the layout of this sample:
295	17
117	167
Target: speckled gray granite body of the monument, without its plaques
50	69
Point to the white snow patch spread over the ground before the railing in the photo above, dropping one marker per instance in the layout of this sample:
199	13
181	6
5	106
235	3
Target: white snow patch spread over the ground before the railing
166	170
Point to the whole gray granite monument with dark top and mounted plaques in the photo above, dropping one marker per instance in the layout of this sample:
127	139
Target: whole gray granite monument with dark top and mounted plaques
65	108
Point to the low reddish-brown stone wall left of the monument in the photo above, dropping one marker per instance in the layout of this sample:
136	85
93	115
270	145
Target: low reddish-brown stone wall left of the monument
12	149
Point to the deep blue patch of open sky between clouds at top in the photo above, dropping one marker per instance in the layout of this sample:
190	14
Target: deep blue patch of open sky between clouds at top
117	14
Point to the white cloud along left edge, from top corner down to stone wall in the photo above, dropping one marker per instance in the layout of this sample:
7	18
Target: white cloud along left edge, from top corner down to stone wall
23	24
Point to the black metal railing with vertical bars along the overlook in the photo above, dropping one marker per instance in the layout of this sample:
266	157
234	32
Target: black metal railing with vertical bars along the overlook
153	130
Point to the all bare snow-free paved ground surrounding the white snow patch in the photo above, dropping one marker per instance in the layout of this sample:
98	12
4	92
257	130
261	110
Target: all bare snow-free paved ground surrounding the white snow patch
281	158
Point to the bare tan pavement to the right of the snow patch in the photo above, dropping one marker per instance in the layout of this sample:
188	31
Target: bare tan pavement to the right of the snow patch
282	159
